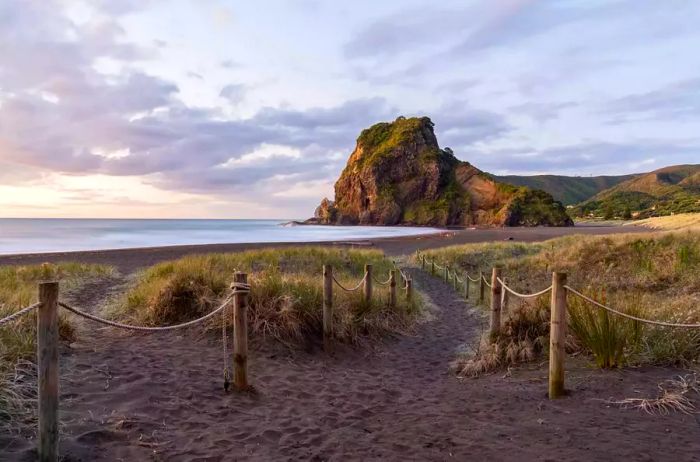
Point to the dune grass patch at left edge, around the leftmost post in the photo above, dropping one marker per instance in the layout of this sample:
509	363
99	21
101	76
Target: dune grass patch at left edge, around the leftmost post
18	288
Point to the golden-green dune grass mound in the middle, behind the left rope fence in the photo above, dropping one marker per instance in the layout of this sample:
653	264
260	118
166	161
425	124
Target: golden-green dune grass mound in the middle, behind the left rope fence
286	296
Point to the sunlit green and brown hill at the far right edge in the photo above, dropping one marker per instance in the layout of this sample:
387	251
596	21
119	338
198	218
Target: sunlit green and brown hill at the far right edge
666	191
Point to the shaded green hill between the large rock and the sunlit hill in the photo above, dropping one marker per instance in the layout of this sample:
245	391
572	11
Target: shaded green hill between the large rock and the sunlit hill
569	190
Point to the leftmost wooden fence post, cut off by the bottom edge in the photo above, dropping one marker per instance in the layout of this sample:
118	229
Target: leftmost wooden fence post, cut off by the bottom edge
47	357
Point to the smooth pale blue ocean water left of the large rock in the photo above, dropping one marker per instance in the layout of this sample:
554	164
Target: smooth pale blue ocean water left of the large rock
29	235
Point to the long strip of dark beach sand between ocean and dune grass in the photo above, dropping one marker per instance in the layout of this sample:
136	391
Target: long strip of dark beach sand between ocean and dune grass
128	260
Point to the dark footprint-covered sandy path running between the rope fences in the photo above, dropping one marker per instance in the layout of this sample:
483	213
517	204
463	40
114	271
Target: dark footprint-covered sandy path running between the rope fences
159	397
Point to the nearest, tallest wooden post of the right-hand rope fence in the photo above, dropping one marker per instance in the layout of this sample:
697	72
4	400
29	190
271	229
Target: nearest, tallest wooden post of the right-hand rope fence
557	336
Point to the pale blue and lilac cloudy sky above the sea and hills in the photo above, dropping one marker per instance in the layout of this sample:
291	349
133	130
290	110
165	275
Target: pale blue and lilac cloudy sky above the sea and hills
239	109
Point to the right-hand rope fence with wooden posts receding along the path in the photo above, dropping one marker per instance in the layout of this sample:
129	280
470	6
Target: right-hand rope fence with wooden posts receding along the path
560	293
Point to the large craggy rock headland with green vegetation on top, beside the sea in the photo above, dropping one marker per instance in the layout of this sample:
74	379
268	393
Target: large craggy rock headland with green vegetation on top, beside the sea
398	174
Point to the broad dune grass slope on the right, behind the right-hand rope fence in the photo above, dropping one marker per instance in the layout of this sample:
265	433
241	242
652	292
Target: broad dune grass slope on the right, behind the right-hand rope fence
653	276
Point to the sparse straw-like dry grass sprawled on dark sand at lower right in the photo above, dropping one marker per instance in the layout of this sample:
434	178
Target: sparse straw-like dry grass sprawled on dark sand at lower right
674	396
